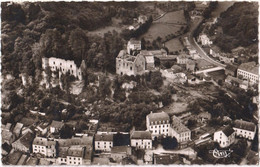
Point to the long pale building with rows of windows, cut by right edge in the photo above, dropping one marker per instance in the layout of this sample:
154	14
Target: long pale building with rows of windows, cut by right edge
249	71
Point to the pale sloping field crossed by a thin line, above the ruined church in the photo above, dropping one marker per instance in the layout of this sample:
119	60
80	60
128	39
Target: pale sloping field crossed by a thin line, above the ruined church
169	24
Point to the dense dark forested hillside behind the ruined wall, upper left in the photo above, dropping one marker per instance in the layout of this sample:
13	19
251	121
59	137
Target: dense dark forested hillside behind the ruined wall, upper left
33	30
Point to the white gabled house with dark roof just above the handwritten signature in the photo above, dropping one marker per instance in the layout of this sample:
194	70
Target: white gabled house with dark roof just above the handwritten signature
225	136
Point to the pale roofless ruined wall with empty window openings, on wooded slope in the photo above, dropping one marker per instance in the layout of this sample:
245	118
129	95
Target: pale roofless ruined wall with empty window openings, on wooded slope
64	66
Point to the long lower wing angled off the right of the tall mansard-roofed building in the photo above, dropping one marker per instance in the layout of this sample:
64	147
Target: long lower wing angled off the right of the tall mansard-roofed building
180	131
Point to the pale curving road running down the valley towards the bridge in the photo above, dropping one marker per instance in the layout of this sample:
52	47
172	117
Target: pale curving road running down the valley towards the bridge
200	51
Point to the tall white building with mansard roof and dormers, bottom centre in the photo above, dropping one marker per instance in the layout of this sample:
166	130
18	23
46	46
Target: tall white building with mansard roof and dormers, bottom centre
158	124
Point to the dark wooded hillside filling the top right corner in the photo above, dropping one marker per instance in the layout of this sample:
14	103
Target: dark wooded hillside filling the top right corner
239	25
